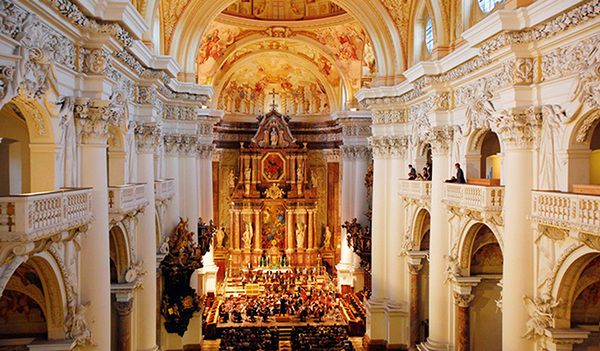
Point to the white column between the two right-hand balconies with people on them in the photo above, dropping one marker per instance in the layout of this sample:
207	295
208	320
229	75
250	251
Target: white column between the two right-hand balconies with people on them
439	237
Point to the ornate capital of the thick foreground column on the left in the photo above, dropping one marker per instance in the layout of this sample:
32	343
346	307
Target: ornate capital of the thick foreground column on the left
92	120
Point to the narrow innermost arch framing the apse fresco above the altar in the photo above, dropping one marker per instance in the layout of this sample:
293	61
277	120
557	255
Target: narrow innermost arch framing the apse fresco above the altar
335	100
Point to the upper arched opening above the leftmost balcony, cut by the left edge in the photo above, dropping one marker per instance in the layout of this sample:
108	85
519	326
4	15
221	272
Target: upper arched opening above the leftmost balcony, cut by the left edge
15	155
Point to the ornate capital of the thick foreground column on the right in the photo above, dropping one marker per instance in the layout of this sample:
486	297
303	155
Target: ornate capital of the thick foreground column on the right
520	129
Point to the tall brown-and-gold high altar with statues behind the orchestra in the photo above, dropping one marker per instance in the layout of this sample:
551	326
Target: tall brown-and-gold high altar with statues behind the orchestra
272	207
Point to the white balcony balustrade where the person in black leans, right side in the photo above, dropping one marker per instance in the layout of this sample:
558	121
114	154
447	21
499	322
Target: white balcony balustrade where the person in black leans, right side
477	197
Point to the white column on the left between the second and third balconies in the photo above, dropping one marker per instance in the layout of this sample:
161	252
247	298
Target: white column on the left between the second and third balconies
147	137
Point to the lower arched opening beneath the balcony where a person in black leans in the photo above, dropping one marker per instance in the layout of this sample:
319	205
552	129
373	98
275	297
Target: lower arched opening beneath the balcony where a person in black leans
485	261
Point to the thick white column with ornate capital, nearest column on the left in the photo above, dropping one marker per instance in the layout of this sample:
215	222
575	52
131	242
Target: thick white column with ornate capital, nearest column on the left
92	120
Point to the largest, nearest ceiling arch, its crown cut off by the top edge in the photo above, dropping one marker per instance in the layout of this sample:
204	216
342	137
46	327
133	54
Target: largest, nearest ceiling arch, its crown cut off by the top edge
374	17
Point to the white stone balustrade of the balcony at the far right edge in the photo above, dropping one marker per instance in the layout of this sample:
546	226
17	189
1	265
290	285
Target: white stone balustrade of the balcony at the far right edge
566	210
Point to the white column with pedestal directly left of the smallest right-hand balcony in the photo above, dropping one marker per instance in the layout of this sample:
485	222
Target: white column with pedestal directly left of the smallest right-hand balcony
397	307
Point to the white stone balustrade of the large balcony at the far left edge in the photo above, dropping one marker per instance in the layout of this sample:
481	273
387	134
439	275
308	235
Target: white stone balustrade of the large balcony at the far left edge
28	217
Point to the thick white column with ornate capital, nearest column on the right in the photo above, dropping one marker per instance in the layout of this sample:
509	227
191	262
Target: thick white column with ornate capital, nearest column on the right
518	267
